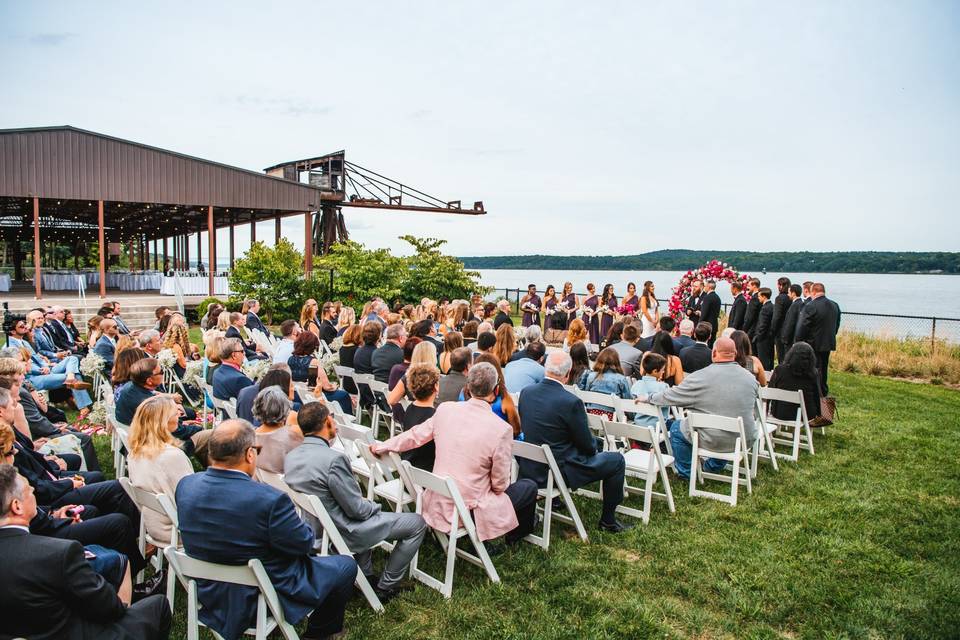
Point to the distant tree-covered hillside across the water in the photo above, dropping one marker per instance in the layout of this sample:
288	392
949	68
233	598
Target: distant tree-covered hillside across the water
787	261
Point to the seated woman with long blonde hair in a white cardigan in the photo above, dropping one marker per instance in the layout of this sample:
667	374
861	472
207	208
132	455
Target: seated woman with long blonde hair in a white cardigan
155	462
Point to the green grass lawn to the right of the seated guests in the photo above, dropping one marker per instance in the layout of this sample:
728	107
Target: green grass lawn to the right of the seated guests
860	541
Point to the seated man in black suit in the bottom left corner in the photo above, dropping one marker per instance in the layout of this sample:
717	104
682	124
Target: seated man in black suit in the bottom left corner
48	588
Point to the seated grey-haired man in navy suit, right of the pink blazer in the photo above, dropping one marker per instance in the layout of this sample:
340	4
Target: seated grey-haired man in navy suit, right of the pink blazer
552	415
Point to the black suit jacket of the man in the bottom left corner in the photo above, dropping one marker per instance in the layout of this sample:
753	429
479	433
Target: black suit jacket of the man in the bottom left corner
49	590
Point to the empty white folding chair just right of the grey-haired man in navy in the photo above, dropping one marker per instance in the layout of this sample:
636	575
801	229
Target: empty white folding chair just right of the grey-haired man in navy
642	464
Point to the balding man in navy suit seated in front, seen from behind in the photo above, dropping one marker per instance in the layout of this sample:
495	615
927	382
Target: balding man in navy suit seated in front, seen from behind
227	518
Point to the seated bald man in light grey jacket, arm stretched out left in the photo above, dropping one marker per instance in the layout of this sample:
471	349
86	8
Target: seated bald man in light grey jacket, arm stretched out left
724	389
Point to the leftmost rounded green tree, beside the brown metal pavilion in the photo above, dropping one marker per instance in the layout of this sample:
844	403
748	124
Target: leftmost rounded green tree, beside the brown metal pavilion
272	275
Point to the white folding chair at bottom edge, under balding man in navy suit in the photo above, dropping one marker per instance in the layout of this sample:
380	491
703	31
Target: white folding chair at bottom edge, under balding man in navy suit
269	614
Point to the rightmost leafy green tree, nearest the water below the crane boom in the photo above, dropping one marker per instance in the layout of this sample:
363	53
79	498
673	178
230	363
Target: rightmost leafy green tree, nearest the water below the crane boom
432	274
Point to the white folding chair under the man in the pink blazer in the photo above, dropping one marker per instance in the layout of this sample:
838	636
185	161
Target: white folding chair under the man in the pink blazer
461	524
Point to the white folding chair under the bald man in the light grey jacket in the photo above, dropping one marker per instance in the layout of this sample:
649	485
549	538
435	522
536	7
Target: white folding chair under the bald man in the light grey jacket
738	457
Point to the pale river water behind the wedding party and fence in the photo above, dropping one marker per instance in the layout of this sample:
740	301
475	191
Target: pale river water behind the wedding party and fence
896	294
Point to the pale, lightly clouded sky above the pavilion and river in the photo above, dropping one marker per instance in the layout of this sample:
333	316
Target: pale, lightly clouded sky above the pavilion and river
585	128
